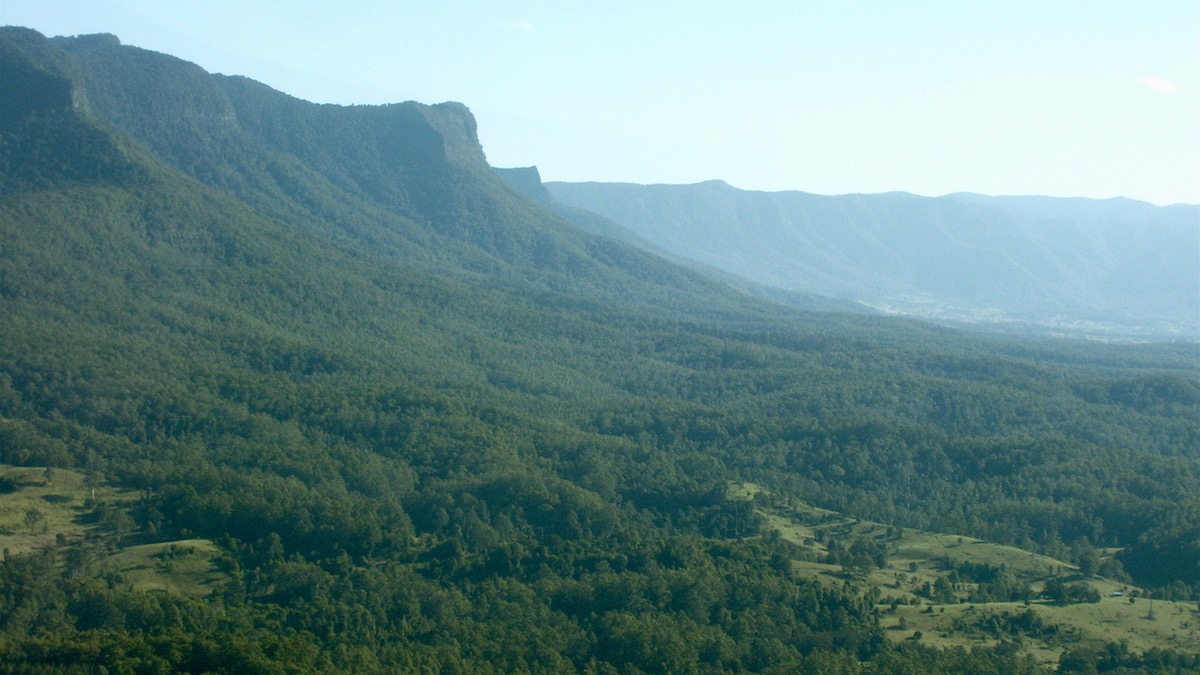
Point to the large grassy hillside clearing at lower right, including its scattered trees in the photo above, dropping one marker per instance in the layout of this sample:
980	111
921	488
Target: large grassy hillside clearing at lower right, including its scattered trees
949	590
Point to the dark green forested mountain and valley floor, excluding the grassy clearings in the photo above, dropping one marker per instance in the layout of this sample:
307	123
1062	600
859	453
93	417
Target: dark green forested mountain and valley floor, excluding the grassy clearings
433	427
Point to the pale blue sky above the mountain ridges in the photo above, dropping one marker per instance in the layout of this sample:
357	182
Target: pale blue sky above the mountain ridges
1064	98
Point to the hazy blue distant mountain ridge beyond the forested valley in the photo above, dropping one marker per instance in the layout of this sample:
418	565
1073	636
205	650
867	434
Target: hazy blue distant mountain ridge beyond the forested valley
1107	268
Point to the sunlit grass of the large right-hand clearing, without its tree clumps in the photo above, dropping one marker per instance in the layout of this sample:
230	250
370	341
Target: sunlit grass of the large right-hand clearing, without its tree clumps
917	558
